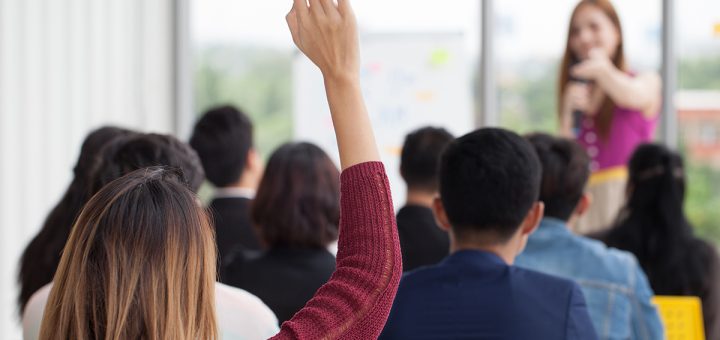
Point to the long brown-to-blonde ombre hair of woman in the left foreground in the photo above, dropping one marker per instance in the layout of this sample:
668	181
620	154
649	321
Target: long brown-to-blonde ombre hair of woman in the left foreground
139	264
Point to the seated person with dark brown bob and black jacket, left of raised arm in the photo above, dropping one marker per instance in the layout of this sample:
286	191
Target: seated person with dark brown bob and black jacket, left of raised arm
296	211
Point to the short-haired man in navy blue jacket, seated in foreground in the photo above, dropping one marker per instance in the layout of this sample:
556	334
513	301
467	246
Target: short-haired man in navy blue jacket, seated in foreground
489	185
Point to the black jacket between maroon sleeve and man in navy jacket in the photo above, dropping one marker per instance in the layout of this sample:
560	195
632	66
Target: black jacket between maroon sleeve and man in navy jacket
422	242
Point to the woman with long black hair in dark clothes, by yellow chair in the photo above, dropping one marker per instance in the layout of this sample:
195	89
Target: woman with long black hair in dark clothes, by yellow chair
653	226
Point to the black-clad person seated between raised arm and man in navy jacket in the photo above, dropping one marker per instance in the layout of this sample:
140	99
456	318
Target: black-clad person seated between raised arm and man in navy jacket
421	240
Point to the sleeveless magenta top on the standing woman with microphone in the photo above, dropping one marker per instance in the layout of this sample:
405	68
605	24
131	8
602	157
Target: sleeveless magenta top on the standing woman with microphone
629	128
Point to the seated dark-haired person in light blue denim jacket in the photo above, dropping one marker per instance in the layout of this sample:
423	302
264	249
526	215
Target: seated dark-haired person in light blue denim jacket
615	287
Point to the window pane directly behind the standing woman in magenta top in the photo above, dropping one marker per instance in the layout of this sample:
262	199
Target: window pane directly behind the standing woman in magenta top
530	40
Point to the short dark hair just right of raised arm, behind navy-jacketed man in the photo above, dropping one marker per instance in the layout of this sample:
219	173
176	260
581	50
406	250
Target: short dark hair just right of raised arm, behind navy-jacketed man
421	155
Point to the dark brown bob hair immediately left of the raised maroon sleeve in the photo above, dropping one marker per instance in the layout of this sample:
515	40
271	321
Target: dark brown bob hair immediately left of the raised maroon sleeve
298	199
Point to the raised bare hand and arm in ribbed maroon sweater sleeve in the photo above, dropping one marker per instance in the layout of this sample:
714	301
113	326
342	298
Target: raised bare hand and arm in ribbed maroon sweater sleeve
355	302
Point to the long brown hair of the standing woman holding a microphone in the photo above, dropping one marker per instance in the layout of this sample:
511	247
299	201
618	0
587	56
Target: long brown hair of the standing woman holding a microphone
604	118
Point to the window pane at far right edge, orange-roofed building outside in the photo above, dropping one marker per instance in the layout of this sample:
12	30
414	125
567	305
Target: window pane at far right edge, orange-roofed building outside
698	107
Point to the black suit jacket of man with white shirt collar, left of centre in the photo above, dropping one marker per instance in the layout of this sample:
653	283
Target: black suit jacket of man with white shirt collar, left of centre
233	228
